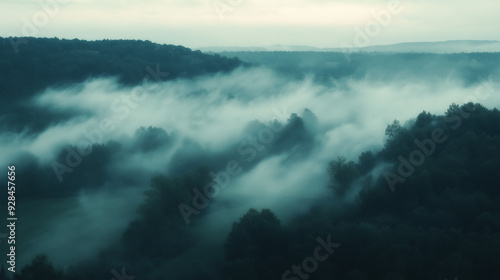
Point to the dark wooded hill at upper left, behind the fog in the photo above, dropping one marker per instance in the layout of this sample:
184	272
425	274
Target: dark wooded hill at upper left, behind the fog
43	62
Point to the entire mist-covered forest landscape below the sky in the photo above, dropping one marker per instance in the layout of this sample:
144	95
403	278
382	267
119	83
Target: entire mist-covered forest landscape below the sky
359	177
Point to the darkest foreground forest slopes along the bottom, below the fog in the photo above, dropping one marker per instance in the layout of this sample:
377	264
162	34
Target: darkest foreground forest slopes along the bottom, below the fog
441	220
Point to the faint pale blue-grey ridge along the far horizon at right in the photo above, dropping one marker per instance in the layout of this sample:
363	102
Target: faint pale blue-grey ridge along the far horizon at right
455	46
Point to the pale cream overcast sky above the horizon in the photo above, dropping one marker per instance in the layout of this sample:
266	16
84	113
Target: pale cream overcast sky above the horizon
201	23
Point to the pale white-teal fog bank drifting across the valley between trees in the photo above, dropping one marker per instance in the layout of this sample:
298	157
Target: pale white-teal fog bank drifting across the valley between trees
209	121
